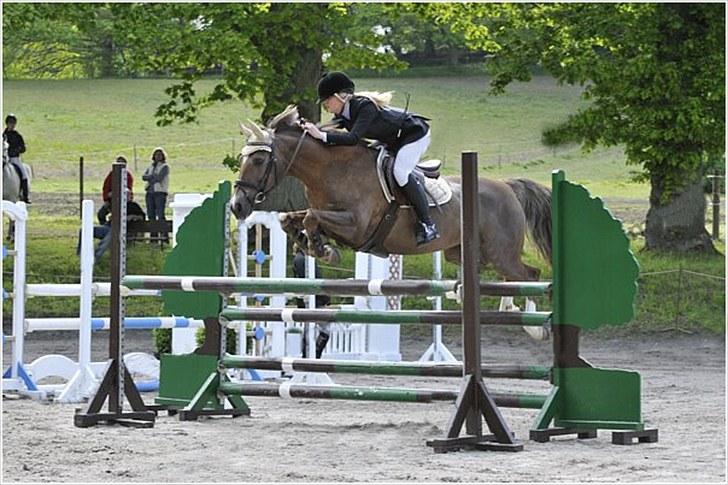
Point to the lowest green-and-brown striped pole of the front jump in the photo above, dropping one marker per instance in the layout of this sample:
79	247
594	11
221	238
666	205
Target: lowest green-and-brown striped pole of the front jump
354	393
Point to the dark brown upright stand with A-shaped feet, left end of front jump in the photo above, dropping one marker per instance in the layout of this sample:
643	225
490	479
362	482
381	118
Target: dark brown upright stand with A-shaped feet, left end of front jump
116	382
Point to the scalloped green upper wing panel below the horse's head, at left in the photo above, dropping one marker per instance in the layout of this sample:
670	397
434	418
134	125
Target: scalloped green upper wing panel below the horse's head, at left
200	251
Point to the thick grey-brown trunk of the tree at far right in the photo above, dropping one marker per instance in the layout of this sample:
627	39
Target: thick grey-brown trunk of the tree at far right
679	224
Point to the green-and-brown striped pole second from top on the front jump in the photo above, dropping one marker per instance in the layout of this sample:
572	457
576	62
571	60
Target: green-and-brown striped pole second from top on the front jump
442	317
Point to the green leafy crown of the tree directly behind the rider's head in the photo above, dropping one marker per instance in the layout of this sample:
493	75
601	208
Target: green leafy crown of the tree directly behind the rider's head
276	49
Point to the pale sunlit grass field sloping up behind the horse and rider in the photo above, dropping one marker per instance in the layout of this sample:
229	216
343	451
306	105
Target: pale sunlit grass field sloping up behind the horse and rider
98	119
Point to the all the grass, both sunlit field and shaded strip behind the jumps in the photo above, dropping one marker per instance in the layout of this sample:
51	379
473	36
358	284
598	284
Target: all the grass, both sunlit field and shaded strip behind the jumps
98	119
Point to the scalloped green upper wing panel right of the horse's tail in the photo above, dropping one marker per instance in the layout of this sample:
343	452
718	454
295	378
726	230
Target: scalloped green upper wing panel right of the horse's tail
595	273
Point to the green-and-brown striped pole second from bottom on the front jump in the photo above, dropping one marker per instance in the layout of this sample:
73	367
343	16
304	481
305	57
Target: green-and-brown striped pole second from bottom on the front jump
431	369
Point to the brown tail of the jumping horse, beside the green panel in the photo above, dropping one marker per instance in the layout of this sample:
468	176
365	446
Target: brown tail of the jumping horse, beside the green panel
535	200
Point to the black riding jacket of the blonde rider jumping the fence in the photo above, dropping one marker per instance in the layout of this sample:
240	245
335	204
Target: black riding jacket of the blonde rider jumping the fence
391	126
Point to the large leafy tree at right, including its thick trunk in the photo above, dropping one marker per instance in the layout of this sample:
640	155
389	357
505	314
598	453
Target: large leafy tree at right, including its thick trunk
655	76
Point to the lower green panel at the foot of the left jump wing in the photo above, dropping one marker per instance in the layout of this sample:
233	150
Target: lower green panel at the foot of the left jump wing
181	376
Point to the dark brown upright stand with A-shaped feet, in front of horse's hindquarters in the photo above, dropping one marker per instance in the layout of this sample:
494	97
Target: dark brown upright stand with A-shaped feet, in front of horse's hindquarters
474	401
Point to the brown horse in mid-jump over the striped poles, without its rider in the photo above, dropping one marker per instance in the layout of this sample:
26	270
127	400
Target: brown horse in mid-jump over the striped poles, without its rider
346	202
